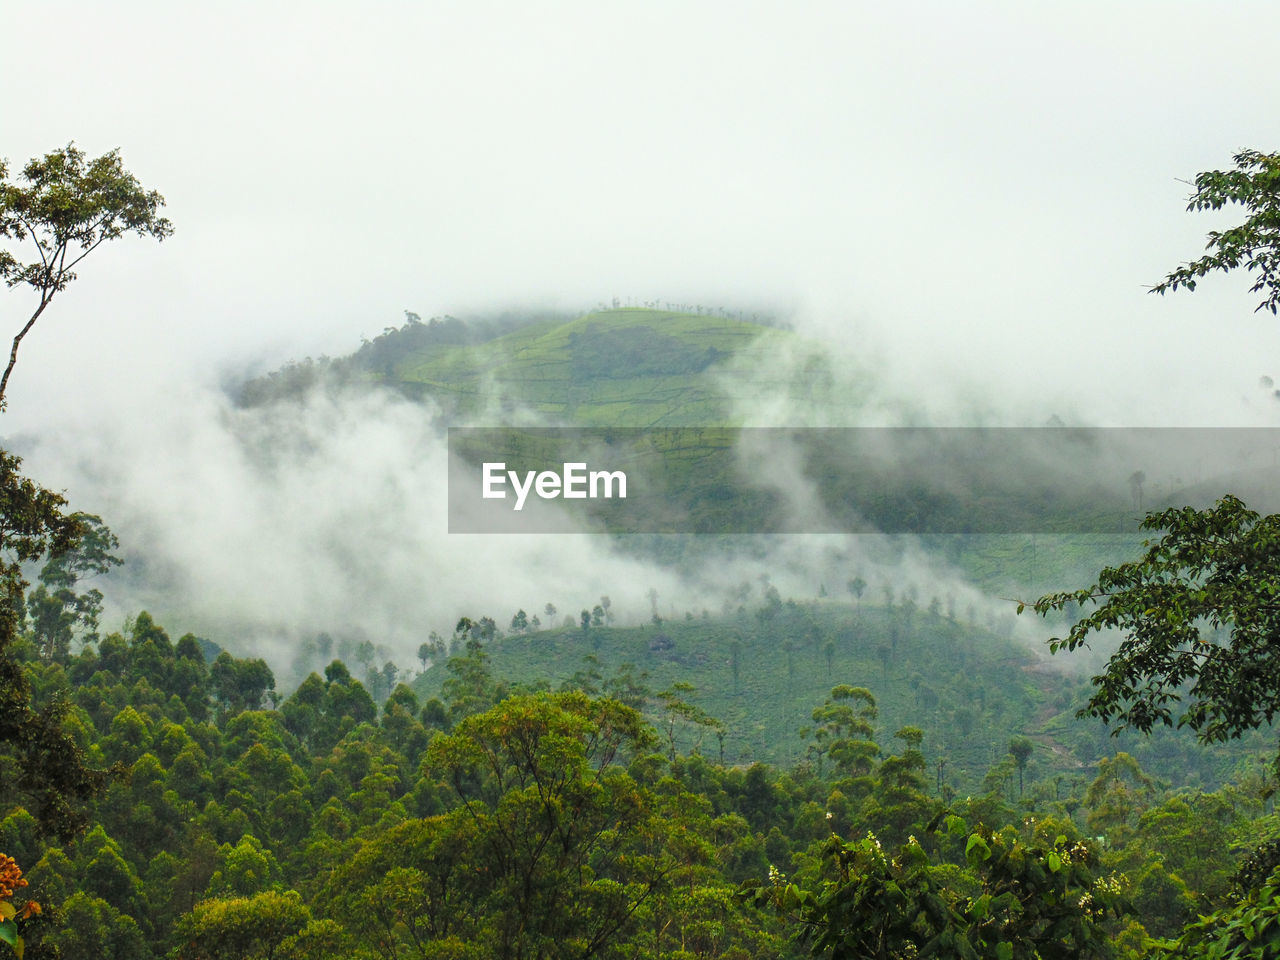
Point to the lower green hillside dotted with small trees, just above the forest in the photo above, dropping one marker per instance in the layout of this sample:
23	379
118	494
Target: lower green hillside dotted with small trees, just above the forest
970	687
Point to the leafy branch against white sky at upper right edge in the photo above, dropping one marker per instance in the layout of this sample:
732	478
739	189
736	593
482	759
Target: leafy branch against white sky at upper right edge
1255	185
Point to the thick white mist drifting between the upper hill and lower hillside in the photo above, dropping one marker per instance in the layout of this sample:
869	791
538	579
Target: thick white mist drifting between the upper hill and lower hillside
263	527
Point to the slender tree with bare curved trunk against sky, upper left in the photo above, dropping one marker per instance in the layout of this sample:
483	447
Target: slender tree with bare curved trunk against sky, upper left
67	207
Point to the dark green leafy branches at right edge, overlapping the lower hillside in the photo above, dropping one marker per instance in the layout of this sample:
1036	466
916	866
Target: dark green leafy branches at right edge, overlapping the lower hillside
1200	614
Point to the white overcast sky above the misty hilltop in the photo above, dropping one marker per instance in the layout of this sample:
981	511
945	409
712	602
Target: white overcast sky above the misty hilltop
980	190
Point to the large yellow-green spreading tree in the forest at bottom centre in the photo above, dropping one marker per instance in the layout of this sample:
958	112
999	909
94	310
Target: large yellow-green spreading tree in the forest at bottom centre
563	845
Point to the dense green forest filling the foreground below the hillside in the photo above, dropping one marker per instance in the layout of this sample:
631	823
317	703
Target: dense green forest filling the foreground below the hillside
597	819
